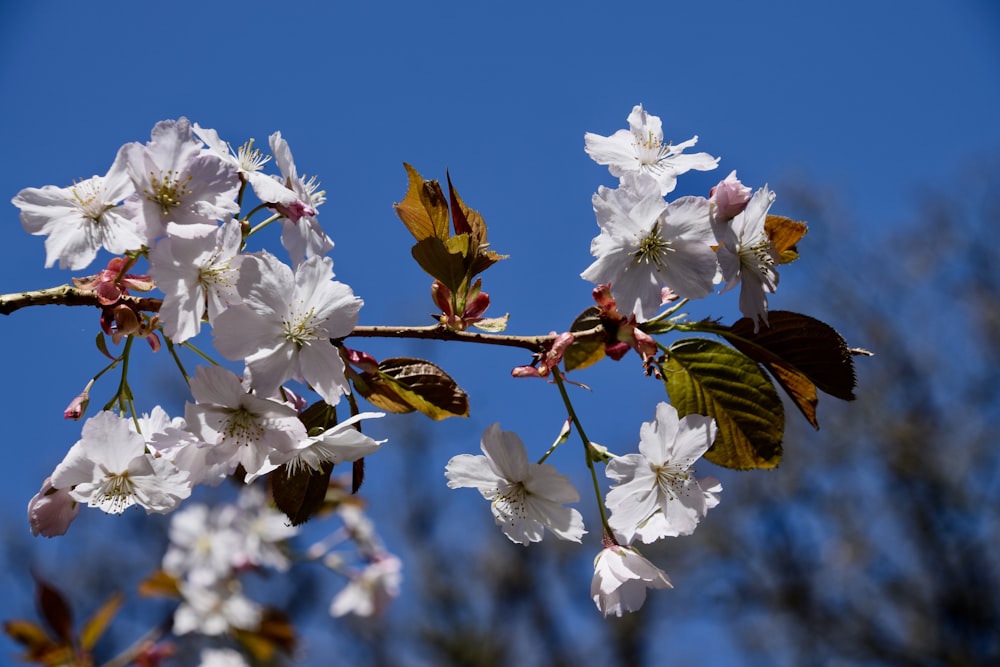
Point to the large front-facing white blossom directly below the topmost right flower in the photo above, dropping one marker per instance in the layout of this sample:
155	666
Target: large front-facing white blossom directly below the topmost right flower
646	244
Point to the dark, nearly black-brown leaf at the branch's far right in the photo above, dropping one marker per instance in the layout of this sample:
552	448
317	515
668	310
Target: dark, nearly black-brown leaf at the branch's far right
802	344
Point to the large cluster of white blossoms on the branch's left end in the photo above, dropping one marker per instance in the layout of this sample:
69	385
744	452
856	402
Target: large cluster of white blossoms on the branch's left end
173	201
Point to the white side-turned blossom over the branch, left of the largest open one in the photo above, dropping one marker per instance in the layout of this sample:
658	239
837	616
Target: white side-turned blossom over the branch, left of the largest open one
197	276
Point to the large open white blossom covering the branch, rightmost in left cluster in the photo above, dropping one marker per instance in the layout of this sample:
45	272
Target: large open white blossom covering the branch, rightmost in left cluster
284	325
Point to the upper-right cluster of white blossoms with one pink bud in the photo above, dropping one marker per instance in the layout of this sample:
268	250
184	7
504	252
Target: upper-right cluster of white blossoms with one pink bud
689	245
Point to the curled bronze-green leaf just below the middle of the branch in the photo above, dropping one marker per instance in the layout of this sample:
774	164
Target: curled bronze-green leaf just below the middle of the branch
425	387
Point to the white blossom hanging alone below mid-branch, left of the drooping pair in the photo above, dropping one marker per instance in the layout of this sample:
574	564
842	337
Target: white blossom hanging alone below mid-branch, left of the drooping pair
526	498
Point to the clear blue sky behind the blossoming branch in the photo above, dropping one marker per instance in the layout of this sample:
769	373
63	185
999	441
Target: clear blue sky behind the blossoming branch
870	101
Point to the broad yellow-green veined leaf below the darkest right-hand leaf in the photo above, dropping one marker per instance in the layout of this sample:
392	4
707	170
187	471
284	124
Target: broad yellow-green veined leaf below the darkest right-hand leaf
709	378
